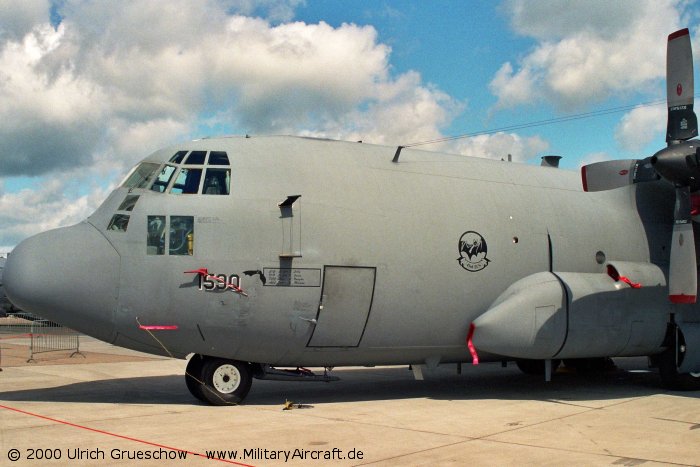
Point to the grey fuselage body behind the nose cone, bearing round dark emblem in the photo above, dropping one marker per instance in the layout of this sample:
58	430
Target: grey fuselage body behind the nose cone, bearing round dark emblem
417	249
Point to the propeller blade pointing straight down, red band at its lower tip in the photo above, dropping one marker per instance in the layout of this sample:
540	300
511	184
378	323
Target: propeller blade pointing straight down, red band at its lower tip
683	281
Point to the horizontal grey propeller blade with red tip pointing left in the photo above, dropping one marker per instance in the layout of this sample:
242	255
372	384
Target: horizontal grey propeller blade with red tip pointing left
608	175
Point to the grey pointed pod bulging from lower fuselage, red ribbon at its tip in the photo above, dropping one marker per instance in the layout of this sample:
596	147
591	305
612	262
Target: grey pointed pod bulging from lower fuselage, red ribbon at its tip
578	315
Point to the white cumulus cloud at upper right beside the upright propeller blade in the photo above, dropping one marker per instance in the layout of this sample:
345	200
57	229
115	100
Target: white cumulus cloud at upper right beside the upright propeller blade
586	51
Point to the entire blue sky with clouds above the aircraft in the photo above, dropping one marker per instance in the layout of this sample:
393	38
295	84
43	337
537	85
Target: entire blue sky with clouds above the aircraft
88	88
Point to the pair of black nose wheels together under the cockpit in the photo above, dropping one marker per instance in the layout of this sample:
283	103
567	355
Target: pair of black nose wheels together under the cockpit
218	381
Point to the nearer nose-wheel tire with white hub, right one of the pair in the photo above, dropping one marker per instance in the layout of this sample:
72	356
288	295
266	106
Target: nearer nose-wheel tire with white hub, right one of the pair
226	382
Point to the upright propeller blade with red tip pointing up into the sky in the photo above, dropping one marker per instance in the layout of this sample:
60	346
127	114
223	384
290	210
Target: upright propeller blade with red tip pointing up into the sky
682	121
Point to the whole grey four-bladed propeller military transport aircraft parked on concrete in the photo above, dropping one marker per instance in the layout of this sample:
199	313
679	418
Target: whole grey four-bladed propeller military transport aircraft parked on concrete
256	254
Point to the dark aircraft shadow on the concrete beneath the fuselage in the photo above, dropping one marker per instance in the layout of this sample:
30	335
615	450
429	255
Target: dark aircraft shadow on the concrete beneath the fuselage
360	385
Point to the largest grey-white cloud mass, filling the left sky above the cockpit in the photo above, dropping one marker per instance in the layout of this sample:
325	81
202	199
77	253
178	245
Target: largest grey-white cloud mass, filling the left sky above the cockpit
89	88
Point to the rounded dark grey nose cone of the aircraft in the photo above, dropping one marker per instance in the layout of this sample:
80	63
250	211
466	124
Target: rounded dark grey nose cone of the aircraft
68	275
